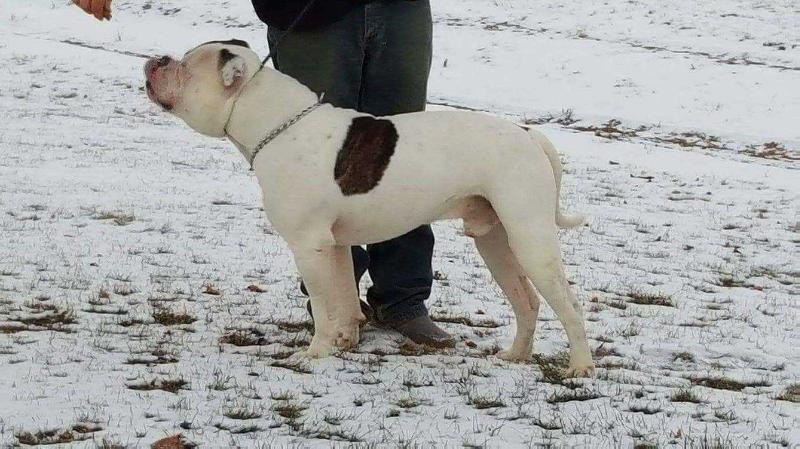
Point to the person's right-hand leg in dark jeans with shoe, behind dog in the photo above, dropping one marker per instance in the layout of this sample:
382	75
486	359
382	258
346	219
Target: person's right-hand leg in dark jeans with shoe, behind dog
397	63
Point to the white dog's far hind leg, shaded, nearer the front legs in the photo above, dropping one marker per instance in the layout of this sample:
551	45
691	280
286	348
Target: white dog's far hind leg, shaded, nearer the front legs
493	247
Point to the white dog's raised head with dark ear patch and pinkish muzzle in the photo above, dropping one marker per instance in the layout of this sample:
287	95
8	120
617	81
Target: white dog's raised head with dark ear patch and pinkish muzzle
201	88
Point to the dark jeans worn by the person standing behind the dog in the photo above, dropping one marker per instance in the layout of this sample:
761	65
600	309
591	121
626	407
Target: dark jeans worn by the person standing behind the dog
375	60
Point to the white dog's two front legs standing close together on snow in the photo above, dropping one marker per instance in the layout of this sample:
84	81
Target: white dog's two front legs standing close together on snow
328	274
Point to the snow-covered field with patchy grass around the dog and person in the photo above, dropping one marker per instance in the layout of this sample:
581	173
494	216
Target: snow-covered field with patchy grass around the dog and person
143	293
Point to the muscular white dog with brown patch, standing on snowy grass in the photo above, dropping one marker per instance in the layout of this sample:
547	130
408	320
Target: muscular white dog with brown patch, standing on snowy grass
333	177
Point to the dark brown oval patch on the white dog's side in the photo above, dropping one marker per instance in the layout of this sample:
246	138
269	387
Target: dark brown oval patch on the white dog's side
365	154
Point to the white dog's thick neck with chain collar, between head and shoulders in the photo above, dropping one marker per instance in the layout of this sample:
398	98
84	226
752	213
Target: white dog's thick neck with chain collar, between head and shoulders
275	98
